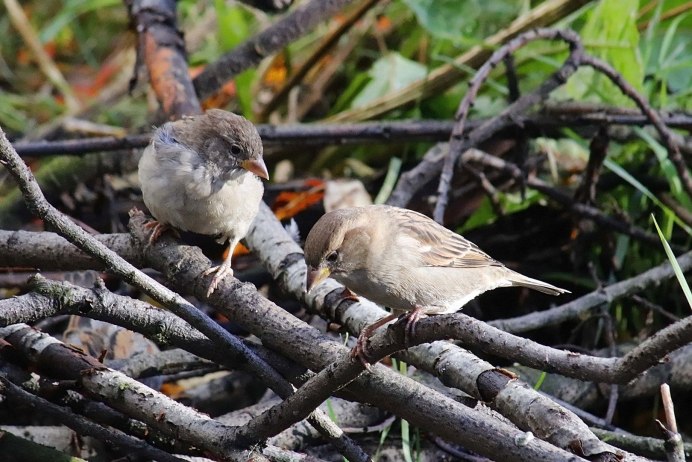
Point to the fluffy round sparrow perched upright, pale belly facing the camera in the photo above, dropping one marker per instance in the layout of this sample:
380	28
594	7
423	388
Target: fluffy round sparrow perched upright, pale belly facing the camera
202	174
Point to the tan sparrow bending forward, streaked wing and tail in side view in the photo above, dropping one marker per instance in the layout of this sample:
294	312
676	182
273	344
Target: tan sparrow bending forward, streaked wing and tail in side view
404	260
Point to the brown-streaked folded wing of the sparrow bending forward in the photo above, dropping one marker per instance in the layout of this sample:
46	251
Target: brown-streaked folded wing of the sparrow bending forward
439	246
